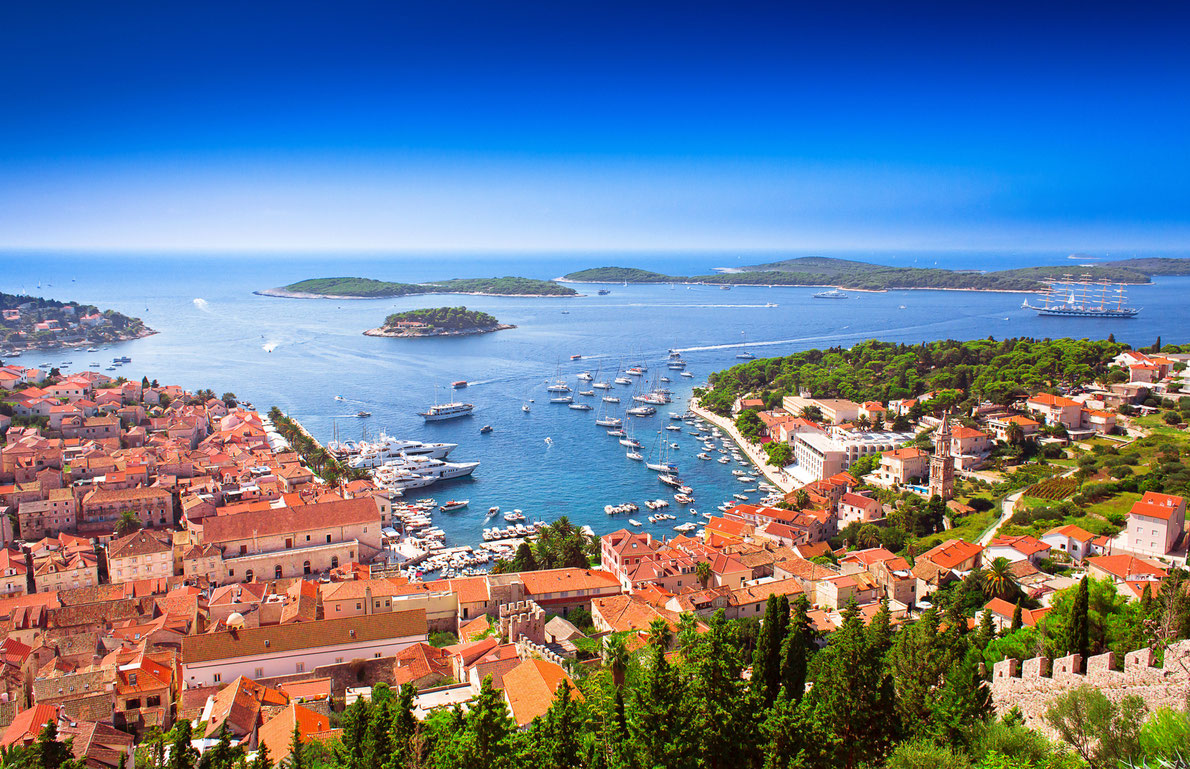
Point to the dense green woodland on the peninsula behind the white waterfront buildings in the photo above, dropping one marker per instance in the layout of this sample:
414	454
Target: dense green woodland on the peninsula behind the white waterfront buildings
960	372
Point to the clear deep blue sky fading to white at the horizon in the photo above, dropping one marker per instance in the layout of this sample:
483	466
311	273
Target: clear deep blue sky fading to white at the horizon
594	126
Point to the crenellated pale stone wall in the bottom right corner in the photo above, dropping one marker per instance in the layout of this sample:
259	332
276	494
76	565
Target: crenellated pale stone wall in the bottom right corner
1032	684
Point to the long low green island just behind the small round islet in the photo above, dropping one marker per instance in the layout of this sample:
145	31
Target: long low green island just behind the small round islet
371	289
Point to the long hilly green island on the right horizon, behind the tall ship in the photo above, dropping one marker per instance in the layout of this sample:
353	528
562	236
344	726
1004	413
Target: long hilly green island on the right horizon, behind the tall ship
818	271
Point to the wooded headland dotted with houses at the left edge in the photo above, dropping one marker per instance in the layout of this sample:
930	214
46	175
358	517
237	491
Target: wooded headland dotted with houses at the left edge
33	322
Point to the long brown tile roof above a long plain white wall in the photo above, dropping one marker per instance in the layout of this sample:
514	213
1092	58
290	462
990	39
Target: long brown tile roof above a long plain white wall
327	633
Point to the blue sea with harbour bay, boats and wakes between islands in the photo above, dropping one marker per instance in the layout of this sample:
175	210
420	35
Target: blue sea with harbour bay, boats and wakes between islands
300	354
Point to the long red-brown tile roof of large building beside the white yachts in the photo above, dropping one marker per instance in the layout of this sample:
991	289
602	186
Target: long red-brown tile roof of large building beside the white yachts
284	521
